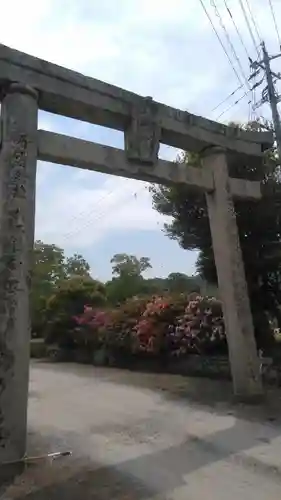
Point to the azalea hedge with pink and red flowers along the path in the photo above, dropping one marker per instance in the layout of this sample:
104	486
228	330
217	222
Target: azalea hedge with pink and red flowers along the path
157	327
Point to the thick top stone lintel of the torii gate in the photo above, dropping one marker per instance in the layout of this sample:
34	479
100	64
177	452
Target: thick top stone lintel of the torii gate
66	92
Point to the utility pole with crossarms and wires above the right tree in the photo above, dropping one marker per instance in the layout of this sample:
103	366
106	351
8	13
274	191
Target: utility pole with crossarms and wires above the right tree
269	94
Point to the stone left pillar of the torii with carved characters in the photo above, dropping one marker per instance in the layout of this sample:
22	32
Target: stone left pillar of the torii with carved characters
19	115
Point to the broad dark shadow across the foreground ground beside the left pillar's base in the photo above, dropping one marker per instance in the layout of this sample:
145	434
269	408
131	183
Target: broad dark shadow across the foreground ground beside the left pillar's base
157	473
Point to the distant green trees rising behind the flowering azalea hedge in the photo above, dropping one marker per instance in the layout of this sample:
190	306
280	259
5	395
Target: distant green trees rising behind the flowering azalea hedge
62	286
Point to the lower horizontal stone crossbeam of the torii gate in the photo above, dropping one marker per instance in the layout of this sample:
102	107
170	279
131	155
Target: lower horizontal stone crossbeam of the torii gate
64	150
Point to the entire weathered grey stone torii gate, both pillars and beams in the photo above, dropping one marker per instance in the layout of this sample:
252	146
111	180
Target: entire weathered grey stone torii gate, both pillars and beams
28	84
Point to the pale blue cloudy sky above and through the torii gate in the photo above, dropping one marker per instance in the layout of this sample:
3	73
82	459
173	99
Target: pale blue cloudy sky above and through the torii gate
160	48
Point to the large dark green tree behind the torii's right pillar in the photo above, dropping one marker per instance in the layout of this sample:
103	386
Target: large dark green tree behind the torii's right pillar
259	225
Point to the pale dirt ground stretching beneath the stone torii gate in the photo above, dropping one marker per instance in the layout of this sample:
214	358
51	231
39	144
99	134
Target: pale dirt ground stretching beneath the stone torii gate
146	436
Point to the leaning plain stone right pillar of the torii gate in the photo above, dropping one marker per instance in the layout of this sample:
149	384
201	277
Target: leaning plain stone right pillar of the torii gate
238	319
